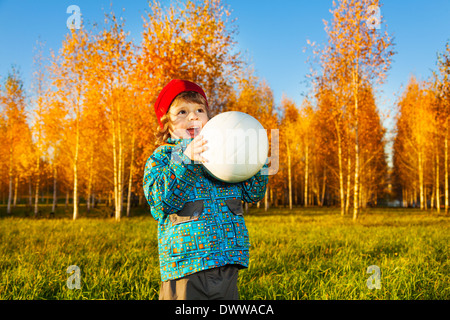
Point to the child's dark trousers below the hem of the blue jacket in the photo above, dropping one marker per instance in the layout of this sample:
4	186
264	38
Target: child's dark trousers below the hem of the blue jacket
212	284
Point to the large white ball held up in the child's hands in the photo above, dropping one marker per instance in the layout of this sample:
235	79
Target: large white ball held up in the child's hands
237	146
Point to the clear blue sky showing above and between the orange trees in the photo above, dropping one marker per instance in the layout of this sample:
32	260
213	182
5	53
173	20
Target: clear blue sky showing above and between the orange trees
272	35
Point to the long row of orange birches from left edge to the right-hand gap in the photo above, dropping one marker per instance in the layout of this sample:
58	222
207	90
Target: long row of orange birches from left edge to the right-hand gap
86	127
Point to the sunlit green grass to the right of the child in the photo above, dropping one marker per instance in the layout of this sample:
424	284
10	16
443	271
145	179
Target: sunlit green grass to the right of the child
314	254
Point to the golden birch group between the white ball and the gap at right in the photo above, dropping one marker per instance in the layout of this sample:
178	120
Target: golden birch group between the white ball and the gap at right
340	141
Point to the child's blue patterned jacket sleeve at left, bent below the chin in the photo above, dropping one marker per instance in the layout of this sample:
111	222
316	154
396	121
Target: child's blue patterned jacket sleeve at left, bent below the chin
168	178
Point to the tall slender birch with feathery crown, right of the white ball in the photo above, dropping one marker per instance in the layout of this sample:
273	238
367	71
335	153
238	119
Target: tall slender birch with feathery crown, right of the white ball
358	52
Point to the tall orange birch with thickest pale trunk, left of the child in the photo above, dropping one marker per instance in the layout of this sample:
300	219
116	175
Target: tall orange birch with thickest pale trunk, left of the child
110	61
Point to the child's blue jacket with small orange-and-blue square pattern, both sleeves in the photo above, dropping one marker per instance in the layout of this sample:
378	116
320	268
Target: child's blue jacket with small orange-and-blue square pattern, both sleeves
200	219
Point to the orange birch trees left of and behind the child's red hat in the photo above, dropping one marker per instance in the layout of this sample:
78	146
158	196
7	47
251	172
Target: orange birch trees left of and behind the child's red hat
86	127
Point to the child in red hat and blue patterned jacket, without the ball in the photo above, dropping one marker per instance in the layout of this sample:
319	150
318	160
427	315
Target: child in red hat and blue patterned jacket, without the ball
202	237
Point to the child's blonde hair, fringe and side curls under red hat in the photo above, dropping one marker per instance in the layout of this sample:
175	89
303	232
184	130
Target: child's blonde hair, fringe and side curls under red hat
162	134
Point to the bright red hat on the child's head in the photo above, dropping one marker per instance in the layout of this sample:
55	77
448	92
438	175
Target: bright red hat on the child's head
169	93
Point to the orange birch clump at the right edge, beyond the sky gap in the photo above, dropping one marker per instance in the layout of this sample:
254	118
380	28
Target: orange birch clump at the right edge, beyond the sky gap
421	156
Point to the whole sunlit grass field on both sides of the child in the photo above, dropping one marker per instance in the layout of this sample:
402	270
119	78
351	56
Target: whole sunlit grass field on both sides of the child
300	254
